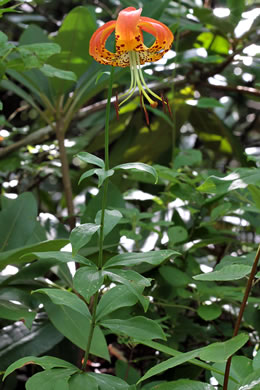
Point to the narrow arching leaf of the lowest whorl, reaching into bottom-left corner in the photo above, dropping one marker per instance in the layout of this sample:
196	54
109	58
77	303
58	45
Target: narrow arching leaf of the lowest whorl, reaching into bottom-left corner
46	362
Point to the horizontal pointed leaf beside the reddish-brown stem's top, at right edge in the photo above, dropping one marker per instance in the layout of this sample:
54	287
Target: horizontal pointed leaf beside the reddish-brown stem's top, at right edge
229	272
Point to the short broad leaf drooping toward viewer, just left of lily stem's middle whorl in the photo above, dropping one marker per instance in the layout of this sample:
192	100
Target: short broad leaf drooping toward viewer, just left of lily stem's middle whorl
88	281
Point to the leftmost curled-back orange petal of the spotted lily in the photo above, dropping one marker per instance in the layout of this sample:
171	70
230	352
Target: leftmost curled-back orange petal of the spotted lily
98	41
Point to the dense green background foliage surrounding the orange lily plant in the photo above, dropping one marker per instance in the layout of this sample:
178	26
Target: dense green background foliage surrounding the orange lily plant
205	204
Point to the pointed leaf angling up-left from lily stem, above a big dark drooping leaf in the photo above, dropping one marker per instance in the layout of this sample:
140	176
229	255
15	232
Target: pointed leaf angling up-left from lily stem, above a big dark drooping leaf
65	298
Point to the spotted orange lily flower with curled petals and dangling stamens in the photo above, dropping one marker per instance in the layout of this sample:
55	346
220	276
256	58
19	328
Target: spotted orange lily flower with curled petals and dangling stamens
130	48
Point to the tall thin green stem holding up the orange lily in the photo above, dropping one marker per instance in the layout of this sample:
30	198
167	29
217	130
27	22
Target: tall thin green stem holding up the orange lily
101	235
